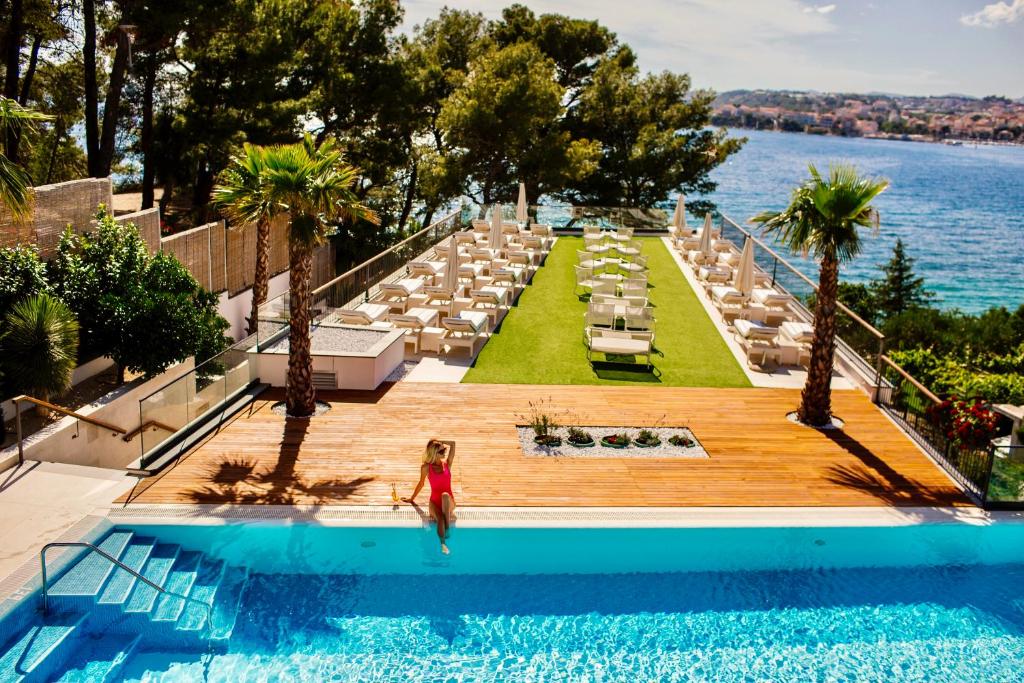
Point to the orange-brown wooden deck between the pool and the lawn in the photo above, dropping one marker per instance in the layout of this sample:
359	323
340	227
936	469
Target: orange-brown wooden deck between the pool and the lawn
368	442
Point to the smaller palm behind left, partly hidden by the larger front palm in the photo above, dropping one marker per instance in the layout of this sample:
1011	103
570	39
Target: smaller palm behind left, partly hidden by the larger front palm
242	194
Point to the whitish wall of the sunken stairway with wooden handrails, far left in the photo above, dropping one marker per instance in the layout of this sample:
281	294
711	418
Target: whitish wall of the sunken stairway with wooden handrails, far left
69	441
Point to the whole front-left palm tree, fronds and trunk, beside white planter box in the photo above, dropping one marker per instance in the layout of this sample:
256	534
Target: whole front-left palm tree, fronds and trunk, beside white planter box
316	188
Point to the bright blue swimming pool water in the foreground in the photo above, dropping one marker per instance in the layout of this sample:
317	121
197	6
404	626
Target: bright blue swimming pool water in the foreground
309	603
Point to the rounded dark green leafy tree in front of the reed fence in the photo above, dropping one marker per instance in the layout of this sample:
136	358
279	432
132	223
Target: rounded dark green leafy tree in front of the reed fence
146	314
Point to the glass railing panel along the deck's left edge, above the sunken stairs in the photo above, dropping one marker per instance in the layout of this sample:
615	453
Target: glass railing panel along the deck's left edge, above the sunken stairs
181	403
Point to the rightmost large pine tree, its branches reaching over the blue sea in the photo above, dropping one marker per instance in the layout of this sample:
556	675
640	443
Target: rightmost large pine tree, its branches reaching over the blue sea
654	136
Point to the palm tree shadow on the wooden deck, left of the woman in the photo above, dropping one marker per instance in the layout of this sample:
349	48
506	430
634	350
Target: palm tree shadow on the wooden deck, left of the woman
240	482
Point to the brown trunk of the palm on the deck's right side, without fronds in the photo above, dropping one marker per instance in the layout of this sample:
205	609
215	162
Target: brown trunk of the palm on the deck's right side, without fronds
816	403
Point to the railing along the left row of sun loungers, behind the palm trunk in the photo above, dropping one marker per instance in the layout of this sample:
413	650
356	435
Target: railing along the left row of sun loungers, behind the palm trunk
357	283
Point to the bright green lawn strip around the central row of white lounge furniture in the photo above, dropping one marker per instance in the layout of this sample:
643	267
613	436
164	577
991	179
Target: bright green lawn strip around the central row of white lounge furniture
541	340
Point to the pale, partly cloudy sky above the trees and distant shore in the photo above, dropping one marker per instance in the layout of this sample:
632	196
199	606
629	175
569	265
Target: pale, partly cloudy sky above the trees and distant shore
915	48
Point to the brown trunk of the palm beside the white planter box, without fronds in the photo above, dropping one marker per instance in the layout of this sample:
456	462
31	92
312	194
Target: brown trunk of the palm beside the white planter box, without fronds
301	397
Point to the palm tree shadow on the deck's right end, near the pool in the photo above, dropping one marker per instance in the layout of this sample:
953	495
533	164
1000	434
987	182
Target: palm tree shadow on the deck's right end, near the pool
879	479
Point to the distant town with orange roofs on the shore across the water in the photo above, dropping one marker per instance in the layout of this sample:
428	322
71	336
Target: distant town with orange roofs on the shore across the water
953	119
